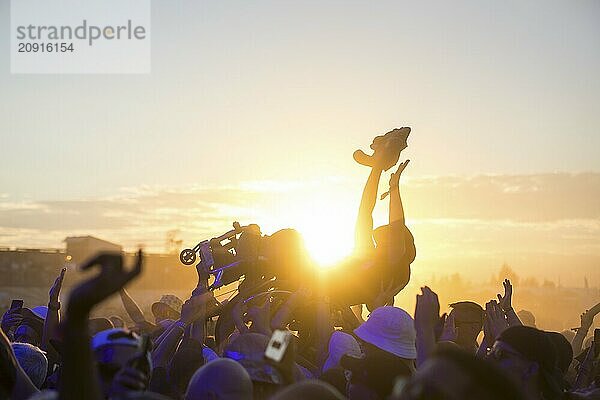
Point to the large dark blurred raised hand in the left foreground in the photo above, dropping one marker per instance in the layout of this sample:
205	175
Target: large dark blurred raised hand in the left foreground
112	277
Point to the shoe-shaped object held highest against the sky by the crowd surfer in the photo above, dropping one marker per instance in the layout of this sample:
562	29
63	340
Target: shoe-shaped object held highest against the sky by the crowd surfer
386	149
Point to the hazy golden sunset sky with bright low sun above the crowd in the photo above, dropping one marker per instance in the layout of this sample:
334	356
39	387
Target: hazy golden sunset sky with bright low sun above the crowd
253	109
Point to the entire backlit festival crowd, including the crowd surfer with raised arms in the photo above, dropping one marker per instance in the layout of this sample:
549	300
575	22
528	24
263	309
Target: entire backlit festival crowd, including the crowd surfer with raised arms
289	331
